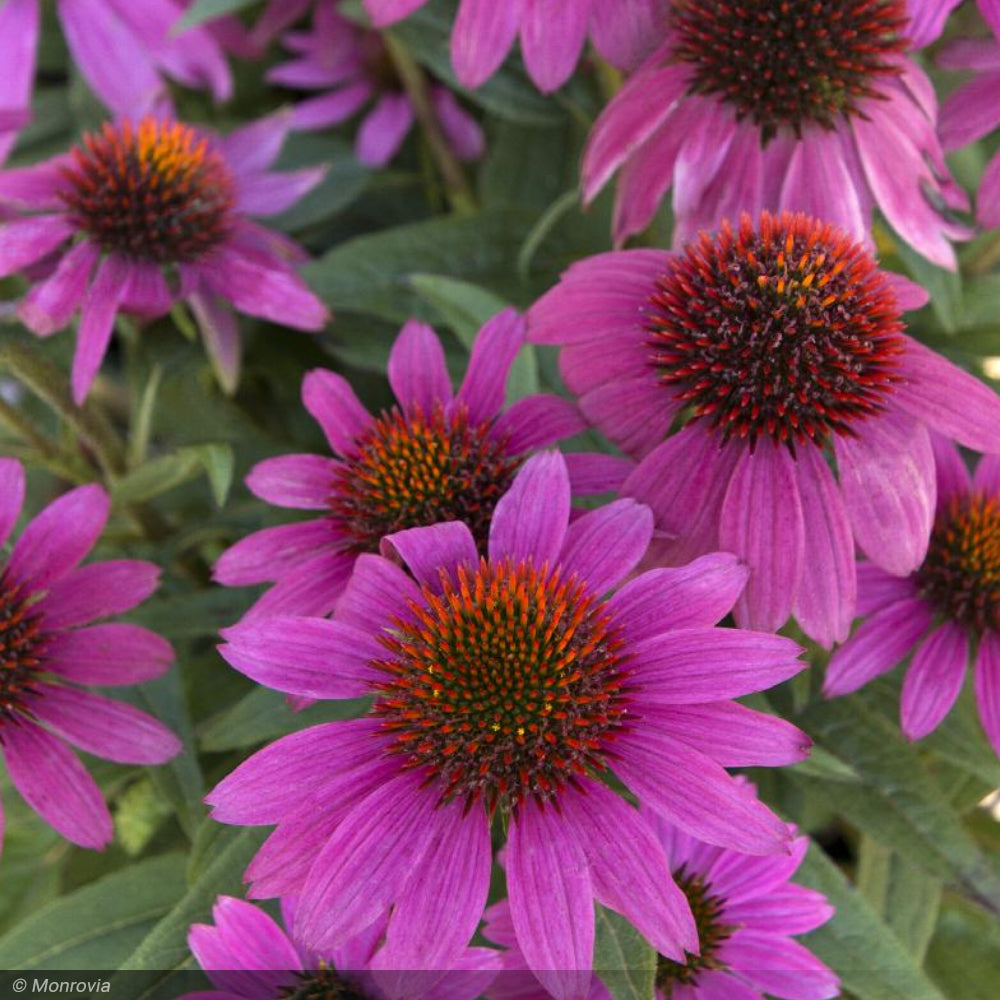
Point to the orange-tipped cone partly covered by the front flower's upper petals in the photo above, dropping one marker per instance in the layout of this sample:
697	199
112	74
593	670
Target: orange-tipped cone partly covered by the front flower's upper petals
418	469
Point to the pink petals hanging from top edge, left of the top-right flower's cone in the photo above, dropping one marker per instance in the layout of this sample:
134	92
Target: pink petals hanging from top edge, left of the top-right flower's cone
552	35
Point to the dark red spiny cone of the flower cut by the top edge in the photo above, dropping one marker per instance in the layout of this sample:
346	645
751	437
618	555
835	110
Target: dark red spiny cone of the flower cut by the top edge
790	62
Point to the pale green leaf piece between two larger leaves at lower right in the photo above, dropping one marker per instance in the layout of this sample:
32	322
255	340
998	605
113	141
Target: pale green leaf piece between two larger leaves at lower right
903	895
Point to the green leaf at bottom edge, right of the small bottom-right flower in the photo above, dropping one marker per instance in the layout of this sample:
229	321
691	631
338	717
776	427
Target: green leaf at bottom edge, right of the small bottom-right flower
870	960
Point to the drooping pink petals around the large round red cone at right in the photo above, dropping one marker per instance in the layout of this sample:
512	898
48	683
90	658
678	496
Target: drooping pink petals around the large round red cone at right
782	510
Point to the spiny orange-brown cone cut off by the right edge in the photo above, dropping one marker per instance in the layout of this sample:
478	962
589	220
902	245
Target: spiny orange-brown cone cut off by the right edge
961	573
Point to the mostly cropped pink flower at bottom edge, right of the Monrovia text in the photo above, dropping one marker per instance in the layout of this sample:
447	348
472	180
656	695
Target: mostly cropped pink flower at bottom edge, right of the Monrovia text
248	956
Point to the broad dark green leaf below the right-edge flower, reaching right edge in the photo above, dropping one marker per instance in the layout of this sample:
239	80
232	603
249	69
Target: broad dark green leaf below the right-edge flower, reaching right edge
898	801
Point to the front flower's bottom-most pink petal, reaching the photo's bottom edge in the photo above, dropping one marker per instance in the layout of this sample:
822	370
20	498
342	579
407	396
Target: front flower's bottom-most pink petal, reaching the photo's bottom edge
551	900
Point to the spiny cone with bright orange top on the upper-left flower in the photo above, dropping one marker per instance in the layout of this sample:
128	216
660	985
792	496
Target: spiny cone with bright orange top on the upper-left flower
156	192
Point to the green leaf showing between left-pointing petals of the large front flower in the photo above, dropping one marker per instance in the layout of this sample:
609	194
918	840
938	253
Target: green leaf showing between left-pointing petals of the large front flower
265	715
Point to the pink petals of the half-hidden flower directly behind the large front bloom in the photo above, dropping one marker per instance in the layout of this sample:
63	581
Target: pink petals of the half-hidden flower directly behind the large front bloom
310	562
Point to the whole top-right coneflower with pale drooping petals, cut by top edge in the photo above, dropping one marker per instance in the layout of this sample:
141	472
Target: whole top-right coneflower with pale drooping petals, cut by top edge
803	106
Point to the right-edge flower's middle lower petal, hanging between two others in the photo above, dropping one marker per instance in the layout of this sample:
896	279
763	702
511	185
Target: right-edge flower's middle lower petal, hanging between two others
934	680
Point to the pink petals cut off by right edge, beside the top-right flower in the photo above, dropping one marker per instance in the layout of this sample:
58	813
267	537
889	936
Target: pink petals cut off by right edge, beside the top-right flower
973	111
